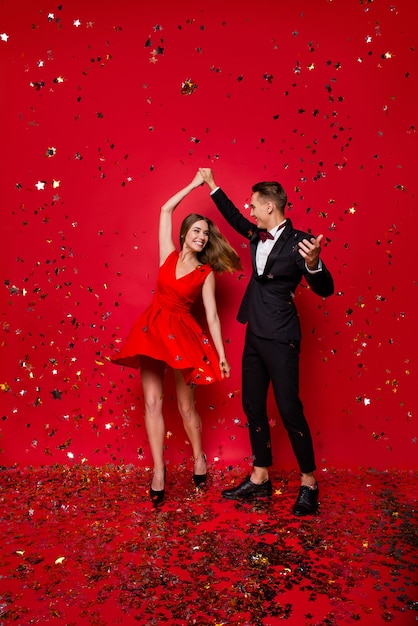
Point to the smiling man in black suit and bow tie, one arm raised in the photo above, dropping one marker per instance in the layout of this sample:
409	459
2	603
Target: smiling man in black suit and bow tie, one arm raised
281	257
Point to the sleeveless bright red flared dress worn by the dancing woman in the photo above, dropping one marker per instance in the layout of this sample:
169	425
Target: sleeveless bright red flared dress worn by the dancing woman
167	331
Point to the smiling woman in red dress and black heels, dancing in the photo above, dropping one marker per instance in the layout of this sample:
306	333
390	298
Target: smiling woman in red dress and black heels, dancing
166	334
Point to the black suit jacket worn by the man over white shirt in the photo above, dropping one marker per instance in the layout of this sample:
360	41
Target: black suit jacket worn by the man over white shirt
267	305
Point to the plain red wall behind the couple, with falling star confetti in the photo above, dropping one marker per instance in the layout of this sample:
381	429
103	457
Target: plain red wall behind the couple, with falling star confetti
318	94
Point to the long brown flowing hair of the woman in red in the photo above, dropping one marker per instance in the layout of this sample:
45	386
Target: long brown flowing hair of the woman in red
217	253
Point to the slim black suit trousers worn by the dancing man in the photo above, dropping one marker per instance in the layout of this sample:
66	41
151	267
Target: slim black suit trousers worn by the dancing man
268	361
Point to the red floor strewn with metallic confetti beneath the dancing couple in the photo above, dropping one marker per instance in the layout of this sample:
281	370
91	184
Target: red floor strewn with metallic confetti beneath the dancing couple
84	546
